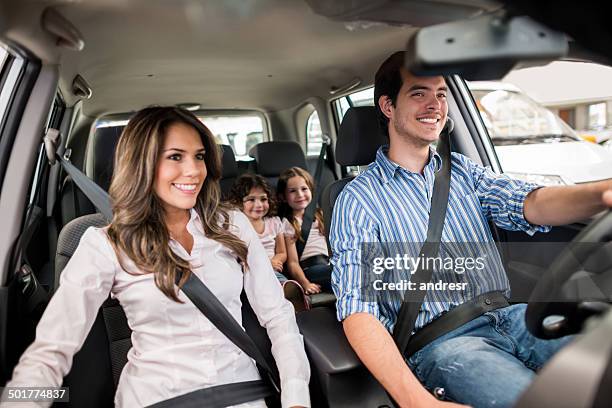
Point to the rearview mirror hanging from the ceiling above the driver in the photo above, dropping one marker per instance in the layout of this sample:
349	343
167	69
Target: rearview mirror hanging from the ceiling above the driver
482	48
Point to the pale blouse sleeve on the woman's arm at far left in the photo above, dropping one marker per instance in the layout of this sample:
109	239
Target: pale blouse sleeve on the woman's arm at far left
85	283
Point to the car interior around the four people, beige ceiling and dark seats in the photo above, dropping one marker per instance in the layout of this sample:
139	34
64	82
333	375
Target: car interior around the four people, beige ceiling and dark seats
83	68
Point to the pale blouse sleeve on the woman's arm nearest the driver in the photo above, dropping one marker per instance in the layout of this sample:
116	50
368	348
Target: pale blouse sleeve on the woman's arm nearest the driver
277	315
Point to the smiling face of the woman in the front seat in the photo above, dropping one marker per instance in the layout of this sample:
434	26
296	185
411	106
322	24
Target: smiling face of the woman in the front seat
181	170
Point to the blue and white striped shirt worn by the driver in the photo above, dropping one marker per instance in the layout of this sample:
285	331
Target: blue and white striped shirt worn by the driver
389	204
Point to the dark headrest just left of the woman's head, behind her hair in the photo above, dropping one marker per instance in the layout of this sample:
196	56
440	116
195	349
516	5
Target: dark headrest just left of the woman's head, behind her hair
101	154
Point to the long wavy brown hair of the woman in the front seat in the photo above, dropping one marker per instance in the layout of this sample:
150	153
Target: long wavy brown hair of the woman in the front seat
138	229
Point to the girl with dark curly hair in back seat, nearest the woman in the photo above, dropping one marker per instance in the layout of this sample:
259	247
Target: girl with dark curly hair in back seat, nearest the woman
253	196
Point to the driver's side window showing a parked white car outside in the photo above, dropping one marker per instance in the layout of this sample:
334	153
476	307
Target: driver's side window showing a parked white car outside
544	128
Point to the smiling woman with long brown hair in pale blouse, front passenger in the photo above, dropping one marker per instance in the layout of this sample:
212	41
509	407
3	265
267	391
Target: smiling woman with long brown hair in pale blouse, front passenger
168	222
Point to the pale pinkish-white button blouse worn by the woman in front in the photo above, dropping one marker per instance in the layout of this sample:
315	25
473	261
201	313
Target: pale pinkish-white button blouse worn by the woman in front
175	349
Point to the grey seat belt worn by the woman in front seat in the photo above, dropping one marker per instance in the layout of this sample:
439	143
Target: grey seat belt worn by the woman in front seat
208	304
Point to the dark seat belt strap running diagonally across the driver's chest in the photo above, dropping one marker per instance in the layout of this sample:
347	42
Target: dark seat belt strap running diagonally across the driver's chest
413	300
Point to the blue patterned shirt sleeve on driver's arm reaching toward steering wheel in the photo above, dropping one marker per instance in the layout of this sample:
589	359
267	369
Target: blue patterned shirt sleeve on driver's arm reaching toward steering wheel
502	198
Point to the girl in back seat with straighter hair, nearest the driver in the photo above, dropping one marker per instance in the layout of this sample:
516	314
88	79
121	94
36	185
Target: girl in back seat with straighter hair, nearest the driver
312	270
